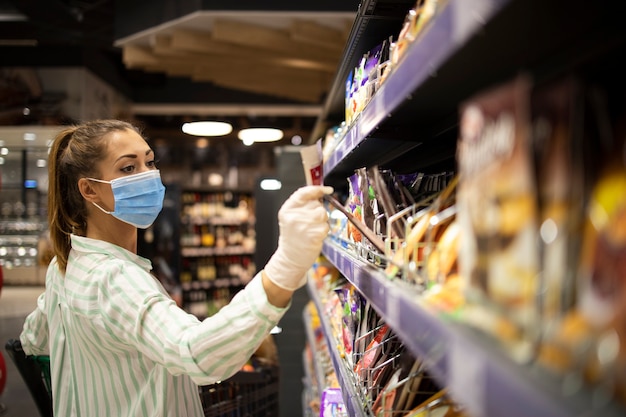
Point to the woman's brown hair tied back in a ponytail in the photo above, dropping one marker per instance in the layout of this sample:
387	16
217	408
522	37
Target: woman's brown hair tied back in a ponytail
73	155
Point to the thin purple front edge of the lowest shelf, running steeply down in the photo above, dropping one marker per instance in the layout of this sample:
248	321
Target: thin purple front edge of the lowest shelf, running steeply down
344	375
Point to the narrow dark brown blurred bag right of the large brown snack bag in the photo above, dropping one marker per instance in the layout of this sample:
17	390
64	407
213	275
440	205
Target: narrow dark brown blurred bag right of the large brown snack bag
555	122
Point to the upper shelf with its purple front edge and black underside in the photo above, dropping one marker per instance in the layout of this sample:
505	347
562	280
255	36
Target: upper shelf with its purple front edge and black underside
466	48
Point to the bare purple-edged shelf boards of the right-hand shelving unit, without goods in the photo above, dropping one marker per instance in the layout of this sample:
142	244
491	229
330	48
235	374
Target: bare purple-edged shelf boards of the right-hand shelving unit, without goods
411	124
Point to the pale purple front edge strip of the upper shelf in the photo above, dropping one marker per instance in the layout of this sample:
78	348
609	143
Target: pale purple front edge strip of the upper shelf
364	142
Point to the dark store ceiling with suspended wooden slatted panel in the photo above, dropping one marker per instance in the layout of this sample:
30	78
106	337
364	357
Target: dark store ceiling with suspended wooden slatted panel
179	60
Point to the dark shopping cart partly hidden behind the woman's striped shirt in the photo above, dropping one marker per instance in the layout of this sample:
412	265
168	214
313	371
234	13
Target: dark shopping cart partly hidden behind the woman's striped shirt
245	394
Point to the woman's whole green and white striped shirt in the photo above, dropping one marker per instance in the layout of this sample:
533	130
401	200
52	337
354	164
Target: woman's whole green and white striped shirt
119	345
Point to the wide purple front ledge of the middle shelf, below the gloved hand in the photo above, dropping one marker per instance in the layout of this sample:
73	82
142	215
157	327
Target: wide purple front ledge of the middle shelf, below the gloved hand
477	373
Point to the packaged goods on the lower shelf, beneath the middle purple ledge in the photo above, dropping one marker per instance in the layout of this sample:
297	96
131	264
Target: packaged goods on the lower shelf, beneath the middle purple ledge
387	378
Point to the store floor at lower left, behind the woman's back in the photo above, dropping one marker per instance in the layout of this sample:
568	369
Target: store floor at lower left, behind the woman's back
16	302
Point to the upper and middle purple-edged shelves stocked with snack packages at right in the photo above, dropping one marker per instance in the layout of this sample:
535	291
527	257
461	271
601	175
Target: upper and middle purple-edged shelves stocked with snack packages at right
505	273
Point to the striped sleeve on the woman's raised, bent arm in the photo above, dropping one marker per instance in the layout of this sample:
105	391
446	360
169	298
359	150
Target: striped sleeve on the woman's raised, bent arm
139	312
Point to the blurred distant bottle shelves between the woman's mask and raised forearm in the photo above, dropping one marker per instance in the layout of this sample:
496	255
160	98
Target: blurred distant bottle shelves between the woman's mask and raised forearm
217	246
